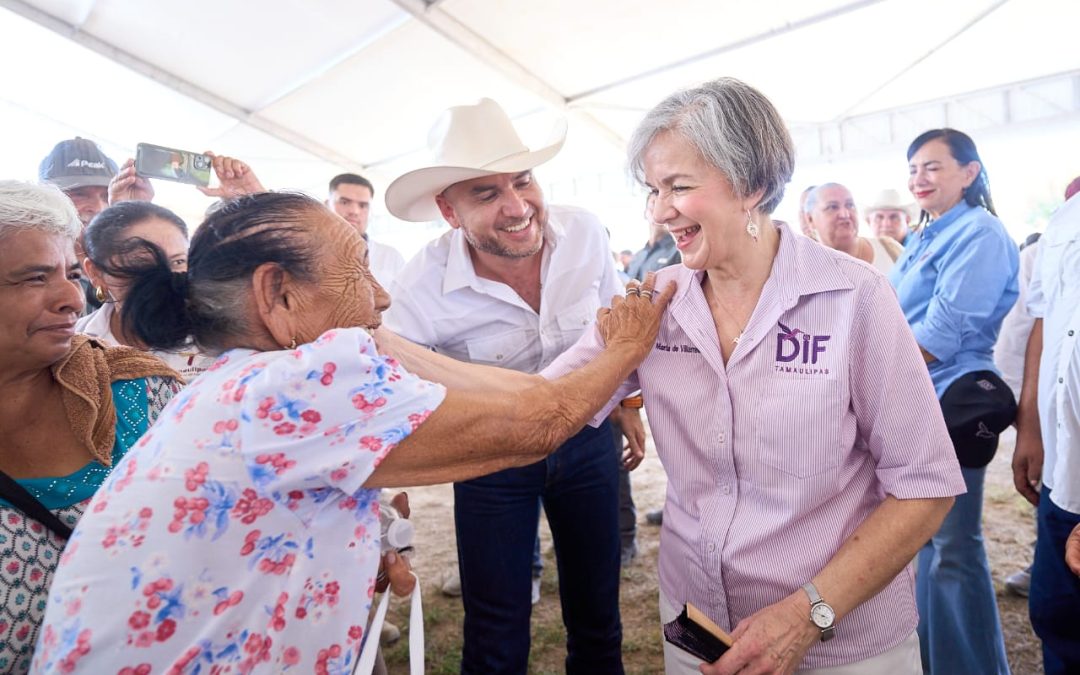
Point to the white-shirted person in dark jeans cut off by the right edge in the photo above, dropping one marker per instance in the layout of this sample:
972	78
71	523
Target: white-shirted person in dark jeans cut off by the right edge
1048	437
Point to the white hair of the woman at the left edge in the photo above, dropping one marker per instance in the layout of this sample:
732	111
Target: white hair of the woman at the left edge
40	208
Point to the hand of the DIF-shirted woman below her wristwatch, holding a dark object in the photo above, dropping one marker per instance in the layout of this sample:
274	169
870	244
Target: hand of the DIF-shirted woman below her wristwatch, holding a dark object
774	641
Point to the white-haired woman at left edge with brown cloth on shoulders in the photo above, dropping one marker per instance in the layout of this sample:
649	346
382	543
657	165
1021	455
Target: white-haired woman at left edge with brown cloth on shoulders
70	408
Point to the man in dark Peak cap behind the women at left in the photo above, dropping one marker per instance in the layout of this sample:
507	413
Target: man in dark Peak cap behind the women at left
80	169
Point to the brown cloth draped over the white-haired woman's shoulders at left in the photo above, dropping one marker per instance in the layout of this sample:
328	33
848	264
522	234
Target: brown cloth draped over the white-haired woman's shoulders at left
86	375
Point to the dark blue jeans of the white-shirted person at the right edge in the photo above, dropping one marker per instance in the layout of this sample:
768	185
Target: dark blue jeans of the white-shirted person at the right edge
1055	599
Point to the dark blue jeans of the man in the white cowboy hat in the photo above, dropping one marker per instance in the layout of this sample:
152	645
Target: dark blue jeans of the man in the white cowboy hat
496	521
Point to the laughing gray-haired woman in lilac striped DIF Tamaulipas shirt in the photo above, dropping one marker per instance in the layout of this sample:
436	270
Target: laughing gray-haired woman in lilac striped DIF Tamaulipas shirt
798	492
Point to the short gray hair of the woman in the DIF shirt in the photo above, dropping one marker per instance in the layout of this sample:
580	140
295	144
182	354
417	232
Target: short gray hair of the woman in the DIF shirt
735	128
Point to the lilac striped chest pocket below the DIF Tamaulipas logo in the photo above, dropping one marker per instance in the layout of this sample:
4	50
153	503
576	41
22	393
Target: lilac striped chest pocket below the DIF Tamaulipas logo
799	426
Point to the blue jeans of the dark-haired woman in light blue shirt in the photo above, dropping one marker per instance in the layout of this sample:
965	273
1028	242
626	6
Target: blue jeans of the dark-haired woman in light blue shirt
960	629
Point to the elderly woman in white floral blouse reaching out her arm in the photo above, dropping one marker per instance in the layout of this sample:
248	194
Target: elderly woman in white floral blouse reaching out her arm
244	531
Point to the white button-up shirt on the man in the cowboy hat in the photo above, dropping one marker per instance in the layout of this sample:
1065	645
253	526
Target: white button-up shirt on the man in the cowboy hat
439	301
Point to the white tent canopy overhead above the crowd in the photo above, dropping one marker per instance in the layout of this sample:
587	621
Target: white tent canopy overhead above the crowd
306	90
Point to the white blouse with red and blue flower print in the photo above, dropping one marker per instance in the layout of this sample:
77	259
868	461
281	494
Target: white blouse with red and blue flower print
237	536
